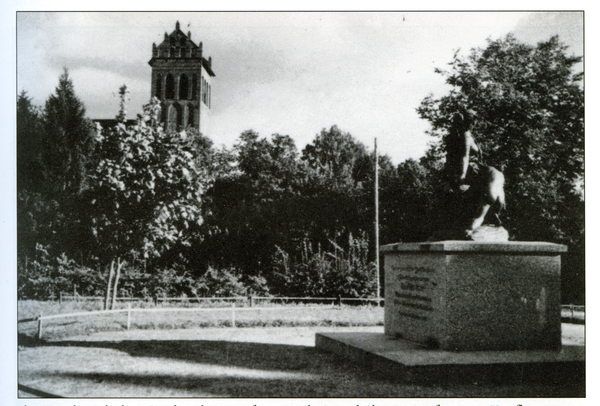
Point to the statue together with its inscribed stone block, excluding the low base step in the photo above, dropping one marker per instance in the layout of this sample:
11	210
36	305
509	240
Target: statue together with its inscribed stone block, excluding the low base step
477	291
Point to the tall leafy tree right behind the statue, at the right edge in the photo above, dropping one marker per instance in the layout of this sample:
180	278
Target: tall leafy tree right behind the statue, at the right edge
529	106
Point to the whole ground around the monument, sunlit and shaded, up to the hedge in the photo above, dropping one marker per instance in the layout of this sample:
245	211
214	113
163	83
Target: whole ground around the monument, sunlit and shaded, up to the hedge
98	358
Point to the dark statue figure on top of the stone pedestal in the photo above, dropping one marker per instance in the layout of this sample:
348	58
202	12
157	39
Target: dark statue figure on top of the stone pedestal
472	187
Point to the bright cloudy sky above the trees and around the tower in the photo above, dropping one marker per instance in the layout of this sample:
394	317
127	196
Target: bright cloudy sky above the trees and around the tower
292	73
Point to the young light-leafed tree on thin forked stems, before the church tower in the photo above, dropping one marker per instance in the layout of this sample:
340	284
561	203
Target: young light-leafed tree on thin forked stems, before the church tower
144	193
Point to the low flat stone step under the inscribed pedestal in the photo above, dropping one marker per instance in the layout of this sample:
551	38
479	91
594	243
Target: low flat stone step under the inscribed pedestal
407	361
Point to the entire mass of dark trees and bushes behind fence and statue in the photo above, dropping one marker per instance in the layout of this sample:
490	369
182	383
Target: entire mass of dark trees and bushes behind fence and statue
186	219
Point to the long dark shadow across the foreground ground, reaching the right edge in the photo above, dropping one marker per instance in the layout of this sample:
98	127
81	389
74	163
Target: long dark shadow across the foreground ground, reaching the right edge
305	372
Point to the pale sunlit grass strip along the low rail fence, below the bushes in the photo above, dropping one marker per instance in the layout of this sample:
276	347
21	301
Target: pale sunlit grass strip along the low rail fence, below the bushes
173	317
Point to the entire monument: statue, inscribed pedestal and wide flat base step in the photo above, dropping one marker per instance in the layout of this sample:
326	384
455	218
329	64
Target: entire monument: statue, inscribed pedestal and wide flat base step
468	298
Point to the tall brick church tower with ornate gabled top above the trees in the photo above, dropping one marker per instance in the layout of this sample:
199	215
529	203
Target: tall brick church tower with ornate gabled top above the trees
181	80
